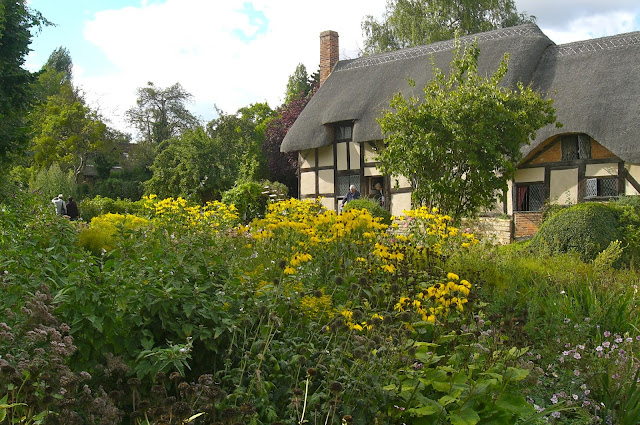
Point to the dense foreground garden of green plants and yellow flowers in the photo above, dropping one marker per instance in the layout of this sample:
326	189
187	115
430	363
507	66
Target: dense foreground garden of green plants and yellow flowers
182	313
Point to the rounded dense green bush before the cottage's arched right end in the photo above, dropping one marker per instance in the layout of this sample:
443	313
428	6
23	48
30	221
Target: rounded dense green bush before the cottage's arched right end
585	229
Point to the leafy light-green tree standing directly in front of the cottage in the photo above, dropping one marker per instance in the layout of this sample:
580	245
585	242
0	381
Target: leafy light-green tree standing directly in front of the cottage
460	144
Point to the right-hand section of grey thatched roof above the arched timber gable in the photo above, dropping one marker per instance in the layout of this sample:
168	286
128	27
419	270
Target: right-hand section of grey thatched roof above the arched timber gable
595	86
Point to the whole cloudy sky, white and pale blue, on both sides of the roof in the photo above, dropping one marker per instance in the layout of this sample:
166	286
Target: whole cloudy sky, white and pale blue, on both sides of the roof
235	53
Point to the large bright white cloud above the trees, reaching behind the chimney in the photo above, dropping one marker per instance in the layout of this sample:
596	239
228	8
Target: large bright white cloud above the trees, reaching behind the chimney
226	53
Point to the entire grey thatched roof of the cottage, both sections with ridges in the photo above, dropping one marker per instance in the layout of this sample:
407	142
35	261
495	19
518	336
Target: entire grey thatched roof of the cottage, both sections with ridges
595	85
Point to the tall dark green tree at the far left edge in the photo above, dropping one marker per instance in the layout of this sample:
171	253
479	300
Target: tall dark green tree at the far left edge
16	94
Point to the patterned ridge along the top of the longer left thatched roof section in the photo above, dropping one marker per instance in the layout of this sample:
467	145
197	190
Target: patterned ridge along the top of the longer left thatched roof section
439	46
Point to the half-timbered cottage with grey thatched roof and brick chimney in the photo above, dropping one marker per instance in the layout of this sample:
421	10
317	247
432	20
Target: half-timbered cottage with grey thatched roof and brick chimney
595	85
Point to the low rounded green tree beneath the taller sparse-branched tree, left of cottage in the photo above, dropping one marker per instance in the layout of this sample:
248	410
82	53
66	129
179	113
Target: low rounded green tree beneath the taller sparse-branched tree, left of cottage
193	165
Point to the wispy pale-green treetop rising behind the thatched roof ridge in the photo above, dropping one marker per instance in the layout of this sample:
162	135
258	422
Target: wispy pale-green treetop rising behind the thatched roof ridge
408	23
